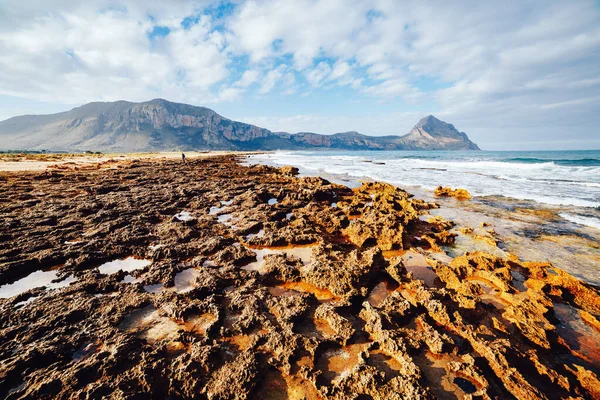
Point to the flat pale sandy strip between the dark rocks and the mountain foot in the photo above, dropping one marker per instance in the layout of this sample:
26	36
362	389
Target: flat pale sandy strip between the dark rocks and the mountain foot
40	162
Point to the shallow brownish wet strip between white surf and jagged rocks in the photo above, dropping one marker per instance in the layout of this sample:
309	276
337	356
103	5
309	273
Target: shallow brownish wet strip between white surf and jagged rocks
518	226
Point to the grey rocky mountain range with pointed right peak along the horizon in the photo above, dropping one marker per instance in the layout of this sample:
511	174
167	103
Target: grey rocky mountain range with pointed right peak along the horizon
162	125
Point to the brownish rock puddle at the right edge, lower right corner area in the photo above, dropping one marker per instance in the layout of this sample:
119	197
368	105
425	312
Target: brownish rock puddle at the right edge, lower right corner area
581	338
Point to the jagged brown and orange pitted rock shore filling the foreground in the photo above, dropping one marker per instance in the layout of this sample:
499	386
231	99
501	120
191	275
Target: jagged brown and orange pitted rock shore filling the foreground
210	279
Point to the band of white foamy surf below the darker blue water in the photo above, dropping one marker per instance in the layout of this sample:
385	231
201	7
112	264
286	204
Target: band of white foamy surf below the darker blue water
542	182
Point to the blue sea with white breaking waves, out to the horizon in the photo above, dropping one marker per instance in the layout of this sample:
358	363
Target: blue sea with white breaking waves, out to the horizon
556	178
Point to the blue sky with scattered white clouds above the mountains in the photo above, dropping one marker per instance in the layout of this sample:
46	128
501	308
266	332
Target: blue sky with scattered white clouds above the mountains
512	75
